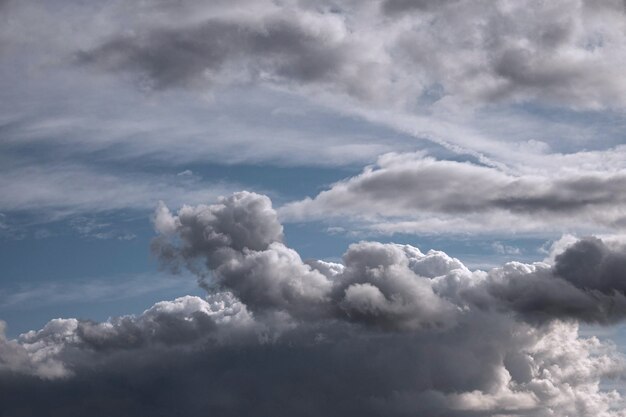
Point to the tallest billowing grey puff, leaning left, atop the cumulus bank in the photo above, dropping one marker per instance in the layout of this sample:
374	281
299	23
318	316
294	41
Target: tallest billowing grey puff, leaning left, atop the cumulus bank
240	241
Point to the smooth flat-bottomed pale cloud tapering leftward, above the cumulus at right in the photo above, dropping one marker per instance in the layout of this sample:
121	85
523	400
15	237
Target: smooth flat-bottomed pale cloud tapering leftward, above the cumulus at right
416	194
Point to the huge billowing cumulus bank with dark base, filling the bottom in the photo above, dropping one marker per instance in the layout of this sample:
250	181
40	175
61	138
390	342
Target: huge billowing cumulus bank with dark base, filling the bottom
389	331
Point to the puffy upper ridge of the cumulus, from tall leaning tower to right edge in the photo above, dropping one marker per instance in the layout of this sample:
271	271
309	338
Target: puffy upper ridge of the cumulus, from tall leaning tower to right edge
386	285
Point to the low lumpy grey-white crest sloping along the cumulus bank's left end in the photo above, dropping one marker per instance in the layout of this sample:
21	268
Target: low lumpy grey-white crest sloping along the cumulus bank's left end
181	322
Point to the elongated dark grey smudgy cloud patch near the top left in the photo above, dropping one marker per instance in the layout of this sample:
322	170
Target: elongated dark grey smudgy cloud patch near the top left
279	46
